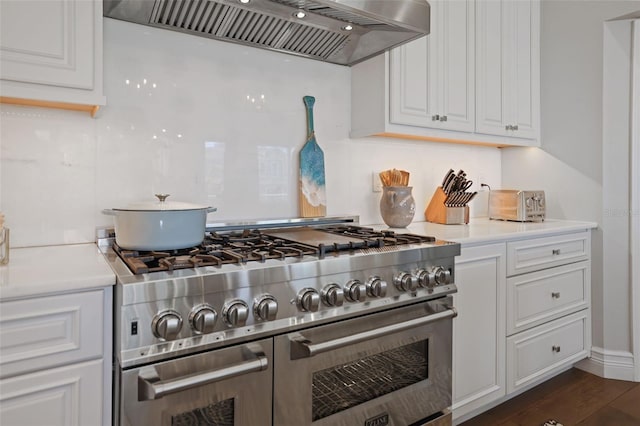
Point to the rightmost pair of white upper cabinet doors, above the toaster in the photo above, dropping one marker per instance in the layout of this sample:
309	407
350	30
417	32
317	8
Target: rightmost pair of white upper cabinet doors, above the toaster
508	68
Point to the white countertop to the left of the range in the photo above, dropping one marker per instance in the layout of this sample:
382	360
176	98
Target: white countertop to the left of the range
34	271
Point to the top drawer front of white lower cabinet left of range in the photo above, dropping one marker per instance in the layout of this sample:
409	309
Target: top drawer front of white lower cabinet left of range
44	332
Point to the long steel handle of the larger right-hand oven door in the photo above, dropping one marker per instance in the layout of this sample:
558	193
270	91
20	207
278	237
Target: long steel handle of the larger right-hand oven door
301	347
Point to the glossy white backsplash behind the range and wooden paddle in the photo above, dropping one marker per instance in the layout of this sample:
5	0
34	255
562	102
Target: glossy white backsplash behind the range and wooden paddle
207	122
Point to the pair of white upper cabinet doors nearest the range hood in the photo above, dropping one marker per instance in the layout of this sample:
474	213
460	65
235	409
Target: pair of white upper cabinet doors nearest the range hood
432	78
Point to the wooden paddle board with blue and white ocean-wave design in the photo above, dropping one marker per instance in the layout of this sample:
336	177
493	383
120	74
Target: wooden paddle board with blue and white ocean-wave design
312	185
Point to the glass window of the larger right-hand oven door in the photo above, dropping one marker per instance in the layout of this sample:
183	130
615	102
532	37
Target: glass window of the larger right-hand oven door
344	386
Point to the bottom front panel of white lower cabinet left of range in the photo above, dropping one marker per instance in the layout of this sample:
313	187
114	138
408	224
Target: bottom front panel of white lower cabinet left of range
70	395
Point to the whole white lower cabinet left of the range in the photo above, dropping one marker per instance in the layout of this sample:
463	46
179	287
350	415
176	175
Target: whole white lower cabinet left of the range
55	360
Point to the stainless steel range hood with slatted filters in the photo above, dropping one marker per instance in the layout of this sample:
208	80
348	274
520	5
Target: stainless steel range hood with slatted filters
322	34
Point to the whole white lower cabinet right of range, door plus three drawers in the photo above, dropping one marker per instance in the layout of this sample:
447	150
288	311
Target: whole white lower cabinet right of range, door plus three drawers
524	315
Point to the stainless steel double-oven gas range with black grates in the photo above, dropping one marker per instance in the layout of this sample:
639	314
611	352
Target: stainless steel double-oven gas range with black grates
305	322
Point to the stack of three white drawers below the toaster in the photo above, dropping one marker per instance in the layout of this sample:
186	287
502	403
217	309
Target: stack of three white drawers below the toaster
548	306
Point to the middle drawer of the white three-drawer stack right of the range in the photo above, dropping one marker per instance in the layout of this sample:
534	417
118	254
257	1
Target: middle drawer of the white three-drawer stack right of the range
537	297
